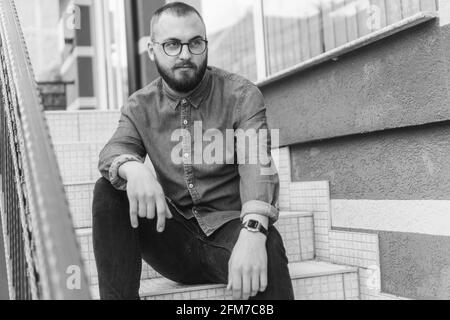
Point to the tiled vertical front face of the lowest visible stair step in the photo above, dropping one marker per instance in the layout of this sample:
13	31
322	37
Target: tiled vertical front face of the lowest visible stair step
332	287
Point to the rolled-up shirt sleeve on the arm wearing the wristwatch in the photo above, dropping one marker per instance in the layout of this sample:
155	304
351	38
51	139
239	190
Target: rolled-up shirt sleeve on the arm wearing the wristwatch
259	181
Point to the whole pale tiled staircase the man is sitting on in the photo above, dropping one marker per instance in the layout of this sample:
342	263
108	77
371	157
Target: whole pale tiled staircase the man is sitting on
304	222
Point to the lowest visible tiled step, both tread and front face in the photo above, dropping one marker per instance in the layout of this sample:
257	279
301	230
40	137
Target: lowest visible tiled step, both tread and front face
312	280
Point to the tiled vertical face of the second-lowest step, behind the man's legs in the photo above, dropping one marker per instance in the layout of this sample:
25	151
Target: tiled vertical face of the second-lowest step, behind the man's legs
295	228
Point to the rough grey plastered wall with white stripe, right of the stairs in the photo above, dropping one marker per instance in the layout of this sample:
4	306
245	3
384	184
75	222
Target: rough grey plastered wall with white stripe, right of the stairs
376	124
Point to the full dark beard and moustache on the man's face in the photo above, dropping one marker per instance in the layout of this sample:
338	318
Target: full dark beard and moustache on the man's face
186	83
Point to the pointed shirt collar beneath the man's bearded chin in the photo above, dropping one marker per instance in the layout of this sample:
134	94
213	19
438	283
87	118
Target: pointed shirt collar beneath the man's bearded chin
195	97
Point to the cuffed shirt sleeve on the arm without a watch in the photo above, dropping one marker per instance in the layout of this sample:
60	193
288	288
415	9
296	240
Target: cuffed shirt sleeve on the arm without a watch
125	145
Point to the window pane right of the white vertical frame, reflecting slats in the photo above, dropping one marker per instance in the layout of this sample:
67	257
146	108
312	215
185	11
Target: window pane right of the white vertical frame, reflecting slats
296	31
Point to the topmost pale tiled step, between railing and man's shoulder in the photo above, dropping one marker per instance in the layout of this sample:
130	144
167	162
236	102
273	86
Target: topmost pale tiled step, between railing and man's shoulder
82	126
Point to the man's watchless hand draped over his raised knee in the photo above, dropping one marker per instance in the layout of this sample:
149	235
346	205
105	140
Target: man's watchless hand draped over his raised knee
145	195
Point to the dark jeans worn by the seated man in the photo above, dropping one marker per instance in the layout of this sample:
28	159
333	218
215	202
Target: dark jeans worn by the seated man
181	253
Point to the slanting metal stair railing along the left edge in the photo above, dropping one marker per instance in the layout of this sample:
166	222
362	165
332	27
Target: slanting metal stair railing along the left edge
42	256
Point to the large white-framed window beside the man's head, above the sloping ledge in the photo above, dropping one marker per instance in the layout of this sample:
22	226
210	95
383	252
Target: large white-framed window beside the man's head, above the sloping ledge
258	38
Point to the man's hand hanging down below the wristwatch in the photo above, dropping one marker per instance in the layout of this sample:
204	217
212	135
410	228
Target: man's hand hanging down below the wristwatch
247	268
